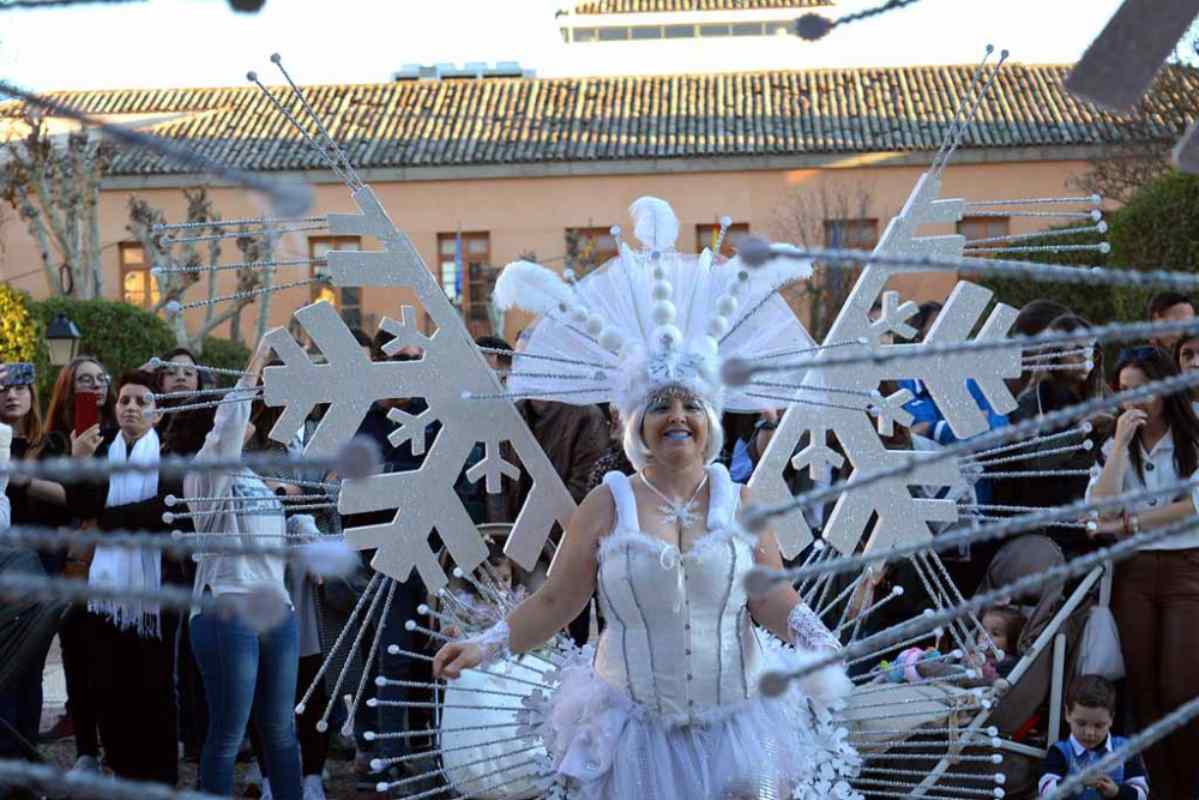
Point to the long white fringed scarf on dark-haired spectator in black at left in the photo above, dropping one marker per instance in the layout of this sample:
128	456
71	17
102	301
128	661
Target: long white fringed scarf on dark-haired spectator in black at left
124	568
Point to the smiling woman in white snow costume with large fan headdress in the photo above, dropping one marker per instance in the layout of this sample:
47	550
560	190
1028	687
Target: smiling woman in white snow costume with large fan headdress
670	706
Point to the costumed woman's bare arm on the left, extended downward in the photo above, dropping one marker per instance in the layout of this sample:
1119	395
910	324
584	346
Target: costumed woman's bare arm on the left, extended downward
565	594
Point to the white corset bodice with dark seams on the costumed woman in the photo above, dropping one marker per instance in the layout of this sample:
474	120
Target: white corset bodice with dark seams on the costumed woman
679	639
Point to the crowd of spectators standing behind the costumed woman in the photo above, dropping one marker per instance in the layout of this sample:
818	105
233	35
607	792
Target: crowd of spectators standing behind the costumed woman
148	687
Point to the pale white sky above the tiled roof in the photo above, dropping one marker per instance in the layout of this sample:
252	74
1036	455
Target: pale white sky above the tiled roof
204	44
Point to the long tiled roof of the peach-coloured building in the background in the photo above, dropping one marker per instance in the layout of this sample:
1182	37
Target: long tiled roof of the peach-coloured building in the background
505	122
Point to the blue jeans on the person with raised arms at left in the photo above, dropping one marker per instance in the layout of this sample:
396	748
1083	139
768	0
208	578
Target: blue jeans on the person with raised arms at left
245	670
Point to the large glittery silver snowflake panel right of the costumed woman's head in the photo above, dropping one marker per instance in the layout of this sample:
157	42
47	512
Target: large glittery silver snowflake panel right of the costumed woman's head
900	516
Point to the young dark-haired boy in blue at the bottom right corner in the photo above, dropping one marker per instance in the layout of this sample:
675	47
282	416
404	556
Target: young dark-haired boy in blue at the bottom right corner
1090	709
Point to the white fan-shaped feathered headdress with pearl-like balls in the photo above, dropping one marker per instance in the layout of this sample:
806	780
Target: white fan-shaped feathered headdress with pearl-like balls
650	320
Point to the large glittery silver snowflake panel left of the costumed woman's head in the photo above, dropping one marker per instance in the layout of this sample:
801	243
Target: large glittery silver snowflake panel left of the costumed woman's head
451	377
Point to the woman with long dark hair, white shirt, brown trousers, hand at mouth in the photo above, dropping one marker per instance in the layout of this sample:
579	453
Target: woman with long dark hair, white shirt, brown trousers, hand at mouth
1156	593
